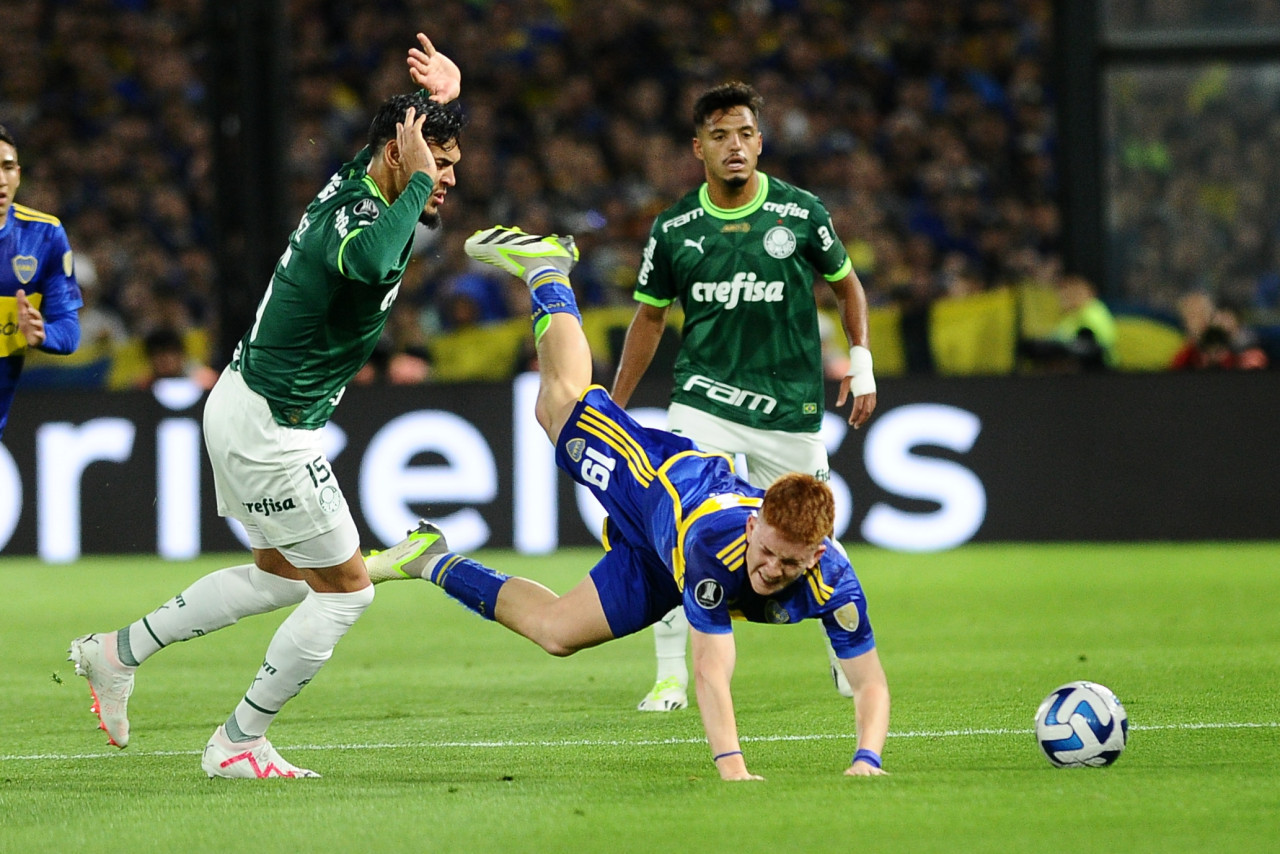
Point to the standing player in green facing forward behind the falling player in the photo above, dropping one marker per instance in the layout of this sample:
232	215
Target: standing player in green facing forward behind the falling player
742	254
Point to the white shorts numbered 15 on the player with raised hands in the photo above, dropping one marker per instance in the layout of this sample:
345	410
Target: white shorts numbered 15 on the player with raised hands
276	479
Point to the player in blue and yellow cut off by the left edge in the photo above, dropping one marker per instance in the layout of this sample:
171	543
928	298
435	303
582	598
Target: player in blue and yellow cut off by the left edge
39	296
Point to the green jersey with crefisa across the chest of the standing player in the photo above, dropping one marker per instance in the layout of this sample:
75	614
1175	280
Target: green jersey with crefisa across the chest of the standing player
752	350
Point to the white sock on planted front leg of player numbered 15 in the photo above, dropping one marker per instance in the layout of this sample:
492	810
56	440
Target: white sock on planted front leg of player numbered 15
298	652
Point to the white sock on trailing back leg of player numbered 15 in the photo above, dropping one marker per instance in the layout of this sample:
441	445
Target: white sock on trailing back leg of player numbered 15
213	602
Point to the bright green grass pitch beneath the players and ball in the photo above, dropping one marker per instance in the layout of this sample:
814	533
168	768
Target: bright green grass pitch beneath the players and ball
437	732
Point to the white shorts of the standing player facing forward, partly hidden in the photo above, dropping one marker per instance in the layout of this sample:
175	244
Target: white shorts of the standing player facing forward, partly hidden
770	454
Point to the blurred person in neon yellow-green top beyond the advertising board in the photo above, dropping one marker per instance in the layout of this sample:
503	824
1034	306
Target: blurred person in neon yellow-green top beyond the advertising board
1085	337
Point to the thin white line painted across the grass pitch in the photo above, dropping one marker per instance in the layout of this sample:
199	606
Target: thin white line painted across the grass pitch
616	743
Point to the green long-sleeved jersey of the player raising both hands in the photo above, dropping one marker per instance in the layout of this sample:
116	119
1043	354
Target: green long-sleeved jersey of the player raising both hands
330	298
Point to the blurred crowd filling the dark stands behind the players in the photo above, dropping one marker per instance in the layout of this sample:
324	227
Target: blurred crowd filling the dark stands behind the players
929	130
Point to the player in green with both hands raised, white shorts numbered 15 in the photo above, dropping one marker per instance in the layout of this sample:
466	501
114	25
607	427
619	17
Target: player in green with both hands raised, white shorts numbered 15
317	326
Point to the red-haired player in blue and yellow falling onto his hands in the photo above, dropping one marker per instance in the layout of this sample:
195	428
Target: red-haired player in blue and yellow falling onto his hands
683	529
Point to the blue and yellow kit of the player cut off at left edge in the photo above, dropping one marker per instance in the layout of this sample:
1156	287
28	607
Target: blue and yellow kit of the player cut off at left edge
36	258
